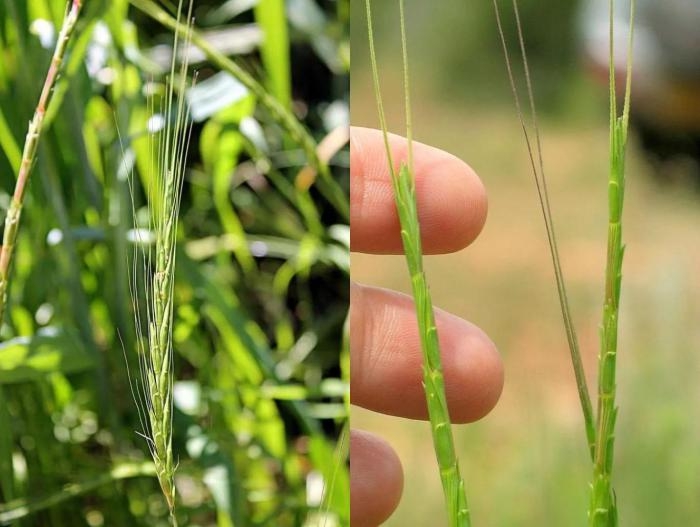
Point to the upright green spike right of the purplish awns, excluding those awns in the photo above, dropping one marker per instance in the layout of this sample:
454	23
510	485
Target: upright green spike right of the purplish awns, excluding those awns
603	508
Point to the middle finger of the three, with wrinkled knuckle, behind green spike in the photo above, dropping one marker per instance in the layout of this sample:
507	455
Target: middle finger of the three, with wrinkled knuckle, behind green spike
387	359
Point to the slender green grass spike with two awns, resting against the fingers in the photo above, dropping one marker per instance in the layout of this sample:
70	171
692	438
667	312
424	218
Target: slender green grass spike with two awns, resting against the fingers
403	182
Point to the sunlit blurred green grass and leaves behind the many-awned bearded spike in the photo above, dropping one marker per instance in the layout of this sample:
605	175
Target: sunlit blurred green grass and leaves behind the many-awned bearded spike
261	282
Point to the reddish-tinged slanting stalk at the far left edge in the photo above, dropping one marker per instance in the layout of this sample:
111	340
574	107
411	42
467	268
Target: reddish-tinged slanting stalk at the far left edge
31	144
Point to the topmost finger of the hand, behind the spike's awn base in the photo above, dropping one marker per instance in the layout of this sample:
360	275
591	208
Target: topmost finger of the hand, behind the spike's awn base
452	204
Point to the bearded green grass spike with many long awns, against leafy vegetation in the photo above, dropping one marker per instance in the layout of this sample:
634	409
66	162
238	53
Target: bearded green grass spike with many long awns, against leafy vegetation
168	153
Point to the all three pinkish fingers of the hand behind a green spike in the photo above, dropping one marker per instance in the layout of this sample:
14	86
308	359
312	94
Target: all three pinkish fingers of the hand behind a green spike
385	350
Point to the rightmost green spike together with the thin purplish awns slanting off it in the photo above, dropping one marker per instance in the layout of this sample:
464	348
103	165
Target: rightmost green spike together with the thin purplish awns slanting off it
600	434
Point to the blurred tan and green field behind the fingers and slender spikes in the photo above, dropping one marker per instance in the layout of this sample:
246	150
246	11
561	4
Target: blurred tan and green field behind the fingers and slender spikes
526	463
